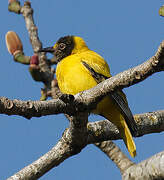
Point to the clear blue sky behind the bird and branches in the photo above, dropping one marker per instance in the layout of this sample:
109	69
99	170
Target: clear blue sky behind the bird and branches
125	33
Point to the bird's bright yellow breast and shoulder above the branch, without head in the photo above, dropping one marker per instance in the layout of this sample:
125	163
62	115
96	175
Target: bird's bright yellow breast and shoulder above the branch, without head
73	77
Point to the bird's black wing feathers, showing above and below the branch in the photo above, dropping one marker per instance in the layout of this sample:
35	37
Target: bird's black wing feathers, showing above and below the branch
118	98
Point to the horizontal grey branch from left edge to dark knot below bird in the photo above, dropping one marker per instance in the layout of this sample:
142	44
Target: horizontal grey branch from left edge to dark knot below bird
30	109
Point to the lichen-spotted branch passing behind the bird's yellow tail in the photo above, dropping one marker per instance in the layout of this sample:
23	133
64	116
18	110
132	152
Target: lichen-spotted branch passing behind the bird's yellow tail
147	123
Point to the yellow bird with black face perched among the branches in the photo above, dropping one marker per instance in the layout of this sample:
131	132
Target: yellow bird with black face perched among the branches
79	69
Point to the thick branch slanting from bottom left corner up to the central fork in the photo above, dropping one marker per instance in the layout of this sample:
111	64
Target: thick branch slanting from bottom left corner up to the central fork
71	143
